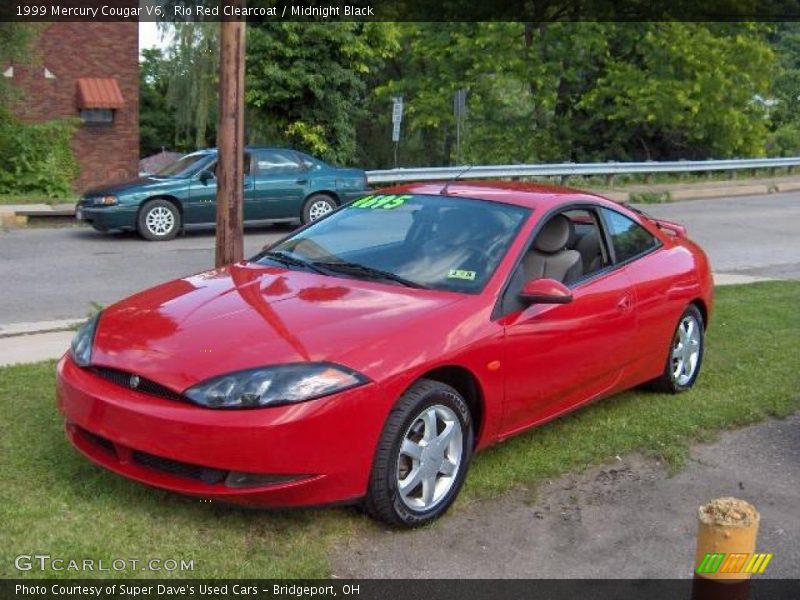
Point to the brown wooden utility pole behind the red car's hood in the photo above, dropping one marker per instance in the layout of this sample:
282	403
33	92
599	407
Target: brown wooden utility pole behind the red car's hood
230	141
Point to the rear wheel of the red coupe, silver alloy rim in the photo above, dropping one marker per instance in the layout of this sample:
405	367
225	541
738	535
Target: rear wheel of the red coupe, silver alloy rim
685	354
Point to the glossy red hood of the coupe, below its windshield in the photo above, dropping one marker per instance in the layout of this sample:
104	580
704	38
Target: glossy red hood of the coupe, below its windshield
248	315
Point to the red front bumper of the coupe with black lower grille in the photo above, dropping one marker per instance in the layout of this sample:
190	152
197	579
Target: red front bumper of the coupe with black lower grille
329	442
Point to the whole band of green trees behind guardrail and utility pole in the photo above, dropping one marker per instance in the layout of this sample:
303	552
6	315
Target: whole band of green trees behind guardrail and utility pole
559	91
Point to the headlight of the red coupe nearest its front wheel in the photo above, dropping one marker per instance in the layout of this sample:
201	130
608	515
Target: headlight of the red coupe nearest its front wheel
273	386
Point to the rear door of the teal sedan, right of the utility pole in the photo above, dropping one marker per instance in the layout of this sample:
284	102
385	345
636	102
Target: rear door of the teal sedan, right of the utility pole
279	185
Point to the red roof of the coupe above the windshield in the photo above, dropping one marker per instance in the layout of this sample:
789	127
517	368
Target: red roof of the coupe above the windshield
529	195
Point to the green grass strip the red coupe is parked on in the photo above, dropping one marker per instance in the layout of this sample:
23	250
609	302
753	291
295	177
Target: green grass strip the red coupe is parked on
54	501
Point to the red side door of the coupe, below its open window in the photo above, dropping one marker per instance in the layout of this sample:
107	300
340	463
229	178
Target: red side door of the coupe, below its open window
559	356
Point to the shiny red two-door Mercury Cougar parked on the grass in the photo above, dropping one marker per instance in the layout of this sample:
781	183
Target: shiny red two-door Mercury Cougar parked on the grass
367	356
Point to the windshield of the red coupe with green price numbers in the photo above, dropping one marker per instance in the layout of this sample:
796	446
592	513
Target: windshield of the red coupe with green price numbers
439	242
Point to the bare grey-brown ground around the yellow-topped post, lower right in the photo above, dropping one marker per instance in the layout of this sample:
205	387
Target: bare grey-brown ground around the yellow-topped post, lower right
629	519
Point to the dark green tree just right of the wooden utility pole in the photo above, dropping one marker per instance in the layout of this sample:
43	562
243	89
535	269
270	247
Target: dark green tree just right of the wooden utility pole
306	83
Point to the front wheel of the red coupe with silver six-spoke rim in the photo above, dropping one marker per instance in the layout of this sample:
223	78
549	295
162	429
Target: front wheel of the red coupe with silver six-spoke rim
422	456
